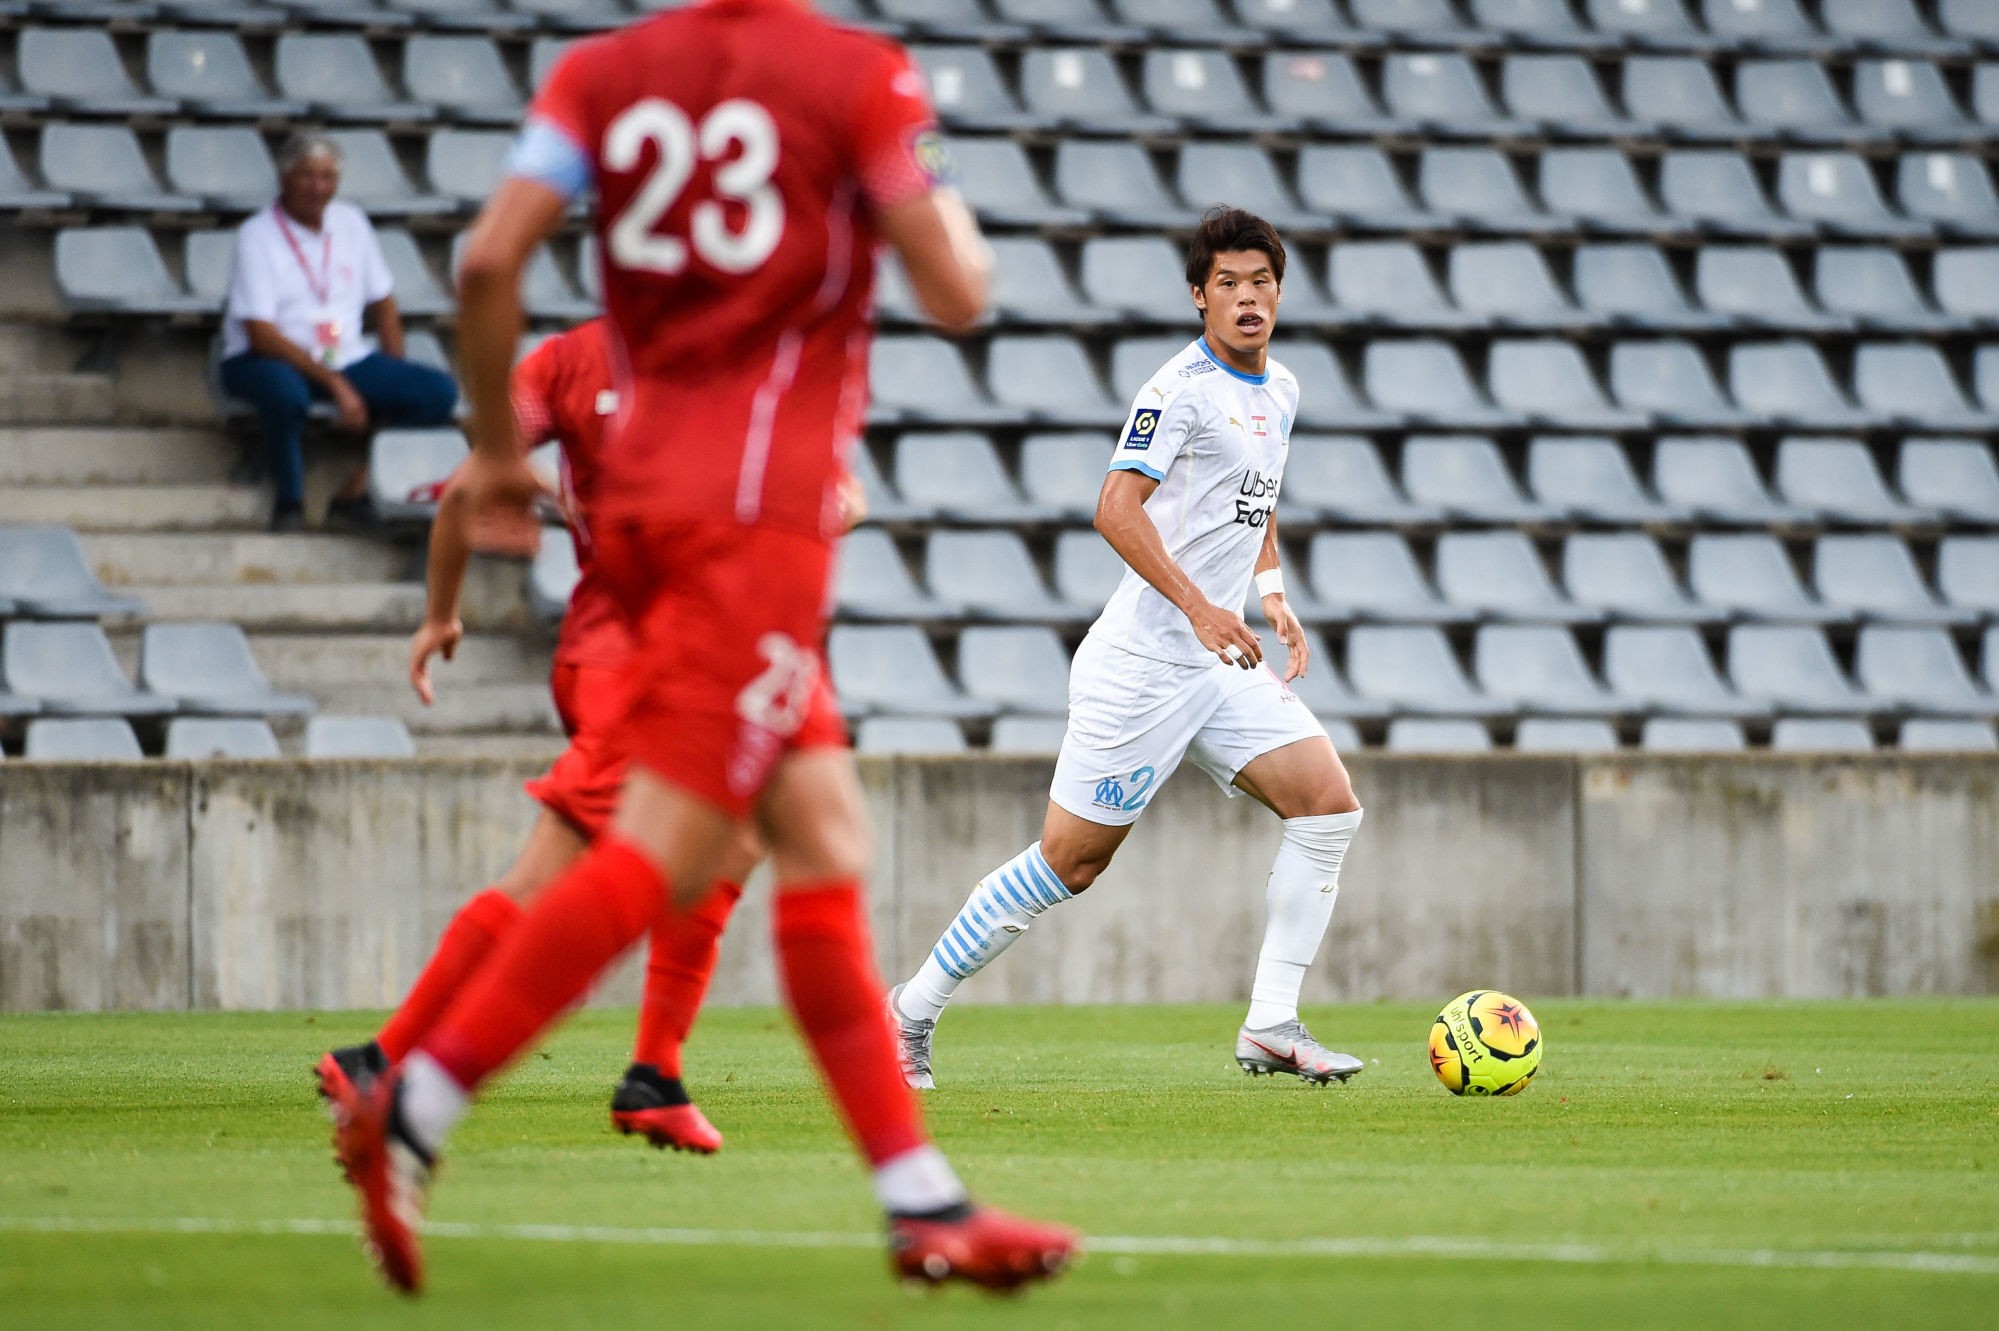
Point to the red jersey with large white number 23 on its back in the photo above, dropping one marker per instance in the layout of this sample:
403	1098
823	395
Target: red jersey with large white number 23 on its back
741	153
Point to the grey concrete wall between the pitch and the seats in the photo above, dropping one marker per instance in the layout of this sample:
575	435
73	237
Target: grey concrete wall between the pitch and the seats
323	884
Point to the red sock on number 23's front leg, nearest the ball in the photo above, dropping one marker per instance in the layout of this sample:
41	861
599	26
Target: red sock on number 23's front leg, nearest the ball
831	982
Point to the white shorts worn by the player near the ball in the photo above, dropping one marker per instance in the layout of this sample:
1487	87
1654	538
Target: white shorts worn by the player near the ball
1134	718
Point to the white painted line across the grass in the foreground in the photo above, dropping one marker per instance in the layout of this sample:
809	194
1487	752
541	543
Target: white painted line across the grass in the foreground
1116	1246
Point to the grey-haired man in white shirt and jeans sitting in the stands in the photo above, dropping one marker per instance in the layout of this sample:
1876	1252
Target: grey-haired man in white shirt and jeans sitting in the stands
305	275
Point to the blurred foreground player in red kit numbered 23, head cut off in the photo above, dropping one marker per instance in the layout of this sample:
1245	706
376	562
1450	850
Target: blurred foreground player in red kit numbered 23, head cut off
747	159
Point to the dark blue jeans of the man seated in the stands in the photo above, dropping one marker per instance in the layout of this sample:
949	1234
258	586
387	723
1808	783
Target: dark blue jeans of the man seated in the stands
397	393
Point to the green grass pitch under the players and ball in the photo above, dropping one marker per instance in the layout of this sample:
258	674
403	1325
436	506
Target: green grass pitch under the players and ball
1746	1164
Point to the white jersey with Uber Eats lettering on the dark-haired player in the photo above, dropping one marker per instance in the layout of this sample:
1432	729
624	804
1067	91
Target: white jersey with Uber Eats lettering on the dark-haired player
1214	439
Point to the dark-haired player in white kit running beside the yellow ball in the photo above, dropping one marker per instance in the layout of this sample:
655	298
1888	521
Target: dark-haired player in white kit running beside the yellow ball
1170	670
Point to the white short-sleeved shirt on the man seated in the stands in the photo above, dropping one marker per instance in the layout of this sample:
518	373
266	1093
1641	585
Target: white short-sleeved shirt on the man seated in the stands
301	279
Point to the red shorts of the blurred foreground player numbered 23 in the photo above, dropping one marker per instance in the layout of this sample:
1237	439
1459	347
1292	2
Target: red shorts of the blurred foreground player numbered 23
729	672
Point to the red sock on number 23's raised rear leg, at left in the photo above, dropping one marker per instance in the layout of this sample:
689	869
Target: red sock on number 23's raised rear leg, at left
573	932
